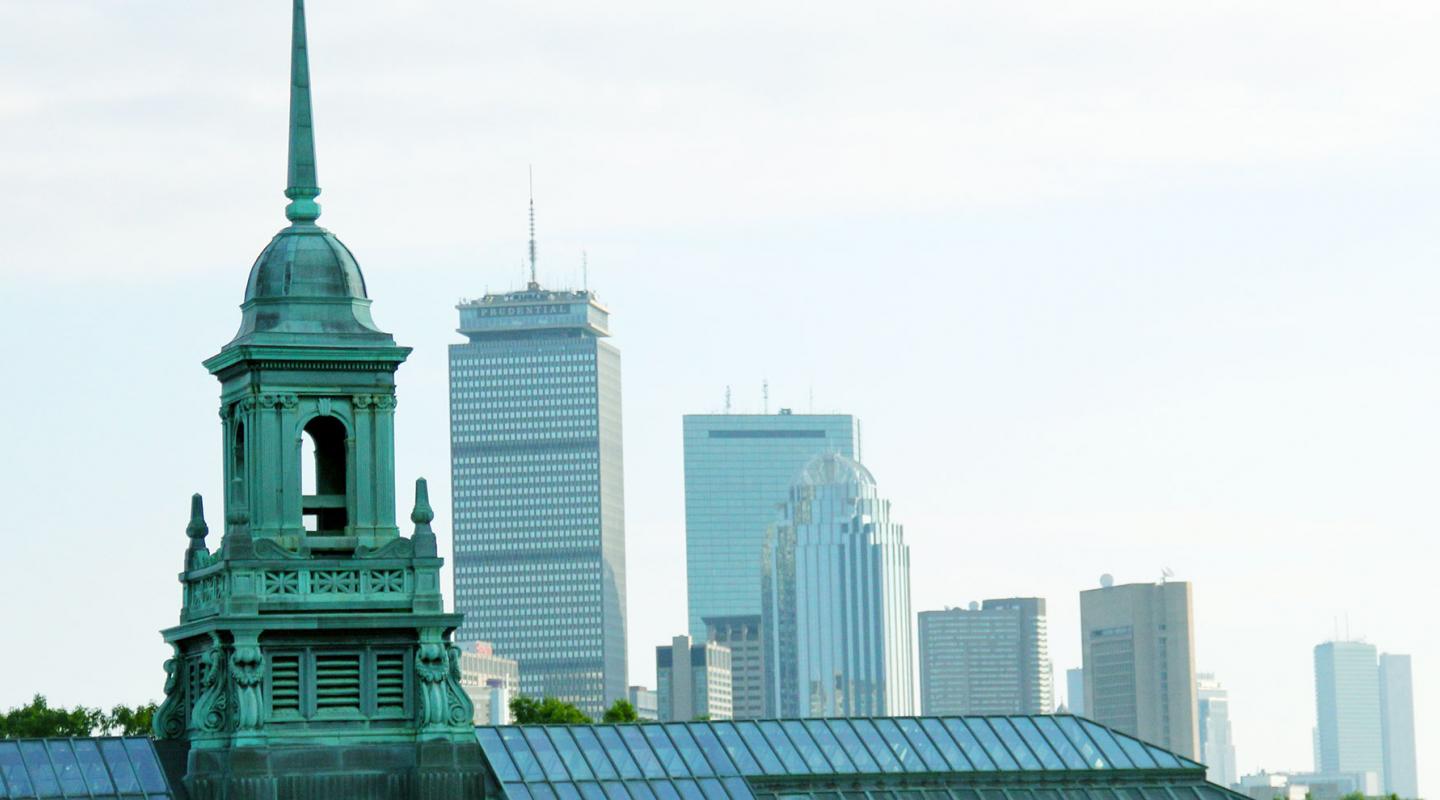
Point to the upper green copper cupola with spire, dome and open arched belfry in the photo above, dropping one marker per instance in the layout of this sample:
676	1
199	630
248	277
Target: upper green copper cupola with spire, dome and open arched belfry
309	381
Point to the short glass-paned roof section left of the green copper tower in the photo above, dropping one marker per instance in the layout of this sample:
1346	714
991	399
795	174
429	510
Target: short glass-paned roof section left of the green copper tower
81	768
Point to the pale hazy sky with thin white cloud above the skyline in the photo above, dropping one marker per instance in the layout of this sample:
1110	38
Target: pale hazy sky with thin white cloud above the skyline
1114	287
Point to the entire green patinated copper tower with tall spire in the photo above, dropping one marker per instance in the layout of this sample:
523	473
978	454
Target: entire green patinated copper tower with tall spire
315	624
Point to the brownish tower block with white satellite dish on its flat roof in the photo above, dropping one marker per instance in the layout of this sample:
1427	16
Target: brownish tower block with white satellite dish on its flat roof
1140	663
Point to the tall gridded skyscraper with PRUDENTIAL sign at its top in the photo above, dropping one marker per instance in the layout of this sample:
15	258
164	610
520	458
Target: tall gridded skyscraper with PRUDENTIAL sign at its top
538	491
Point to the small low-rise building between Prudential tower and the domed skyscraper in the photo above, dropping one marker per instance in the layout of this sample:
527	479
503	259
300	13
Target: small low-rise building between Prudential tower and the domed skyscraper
693	681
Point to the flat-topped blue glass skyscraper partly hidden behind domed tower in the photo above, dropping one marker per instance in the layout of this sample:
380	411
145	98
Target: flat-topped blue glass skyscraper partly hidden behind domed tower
739	470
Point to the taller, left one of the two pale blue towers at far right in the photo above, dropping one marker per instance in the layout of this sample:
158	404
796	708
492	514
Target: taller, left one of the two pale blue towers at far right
1347	709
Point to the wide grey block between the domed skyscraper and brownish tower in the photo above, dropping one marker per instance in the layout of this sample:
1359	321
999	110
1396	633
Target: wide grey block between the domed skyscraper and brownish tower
991	658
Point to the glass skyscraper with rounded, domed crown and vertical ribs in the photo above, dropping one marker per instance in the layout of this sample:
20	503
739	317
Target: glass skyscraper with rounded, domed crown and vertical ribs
837	599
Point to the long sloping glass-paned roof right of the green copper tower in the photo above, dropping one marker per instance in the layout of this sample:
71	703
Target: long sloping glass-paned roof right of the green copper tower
895	759
